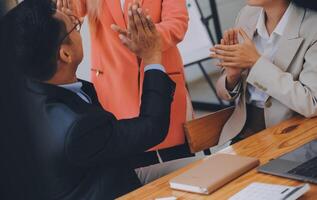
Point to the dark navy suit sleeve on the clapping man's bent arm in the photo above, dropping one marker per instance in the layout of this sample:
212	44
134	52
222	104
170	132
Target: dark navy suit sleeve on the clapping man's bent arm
99	137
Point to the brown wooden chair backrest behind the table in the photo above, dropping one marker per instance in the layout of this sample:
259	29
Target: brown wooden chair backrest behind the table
204	133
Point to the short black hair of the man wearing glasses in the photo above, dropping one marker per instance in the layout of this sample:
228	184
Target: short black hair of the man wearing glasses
35	36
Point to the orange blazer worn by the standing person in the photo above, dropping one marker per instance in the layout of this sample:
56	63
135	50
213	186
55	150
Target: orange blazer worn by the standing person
116	74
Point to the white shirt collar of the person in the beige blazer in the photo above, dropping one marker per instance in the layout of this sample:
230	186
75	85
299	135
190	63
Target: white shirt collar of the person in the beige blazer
279	29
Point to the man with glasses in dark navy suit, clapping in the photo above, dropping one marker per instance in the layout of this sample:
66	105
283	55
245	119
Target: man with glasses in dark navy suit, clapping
81	148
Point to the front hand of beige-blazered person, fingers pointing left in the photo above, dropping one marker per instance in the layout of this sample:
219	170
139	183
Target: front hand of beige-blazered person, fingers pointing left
242	56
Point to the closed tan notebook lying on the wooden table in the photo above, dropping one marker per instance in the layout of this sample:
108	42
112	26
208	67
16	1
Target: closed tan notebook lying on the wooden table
213	173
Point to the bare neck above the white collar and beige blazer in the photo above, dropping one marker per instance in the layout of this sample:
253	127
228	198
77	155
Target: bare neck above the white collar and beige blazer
274	13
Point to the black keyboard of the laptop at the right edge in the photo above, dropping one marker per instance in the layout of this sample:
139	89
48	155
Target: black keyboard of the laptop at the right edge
307	169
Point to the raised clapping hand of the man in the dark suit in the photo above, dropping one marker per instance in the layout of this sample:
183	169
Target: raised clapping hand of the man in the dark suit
141	38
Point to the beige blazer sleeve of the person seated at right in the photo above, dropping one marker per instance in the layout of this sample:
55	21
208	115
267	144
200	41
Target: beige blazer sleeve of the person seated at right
299	95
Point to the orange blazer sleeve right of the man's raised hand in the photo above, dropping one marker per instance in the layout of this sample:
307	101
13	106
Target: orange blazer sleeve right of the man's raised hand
174	22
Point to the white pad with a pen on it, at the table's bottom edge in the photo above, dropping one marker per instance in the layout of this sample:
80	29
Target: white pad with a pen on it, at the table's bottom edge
263	191
